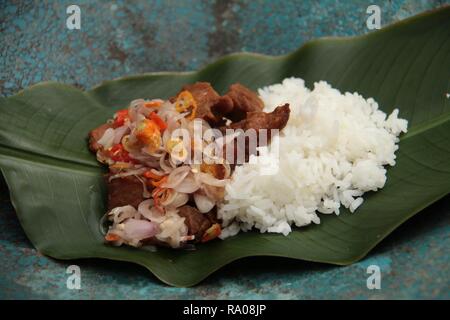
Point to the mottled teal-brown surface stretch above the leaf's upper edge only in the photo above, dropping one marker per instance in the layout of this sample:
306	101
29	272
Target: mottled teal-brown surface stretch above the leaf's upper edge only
120	38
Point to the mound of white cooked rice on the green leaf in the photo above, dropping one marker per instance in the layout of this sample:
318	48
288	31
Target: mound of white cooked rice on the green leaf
333	149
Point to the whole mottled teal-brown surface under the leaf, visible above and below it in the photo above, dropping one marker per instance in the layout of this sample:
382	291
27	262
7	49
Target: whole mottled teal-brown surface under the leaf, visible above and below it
120	38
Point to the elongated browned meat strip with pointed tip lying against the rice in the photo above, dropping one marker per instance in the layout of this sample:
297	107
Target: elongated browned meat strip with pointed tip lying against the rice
277	119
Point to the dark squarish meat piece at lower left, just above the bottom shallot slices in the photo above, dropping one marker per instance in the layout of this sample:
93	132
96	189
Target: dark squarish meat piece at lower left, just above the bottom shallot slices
124	191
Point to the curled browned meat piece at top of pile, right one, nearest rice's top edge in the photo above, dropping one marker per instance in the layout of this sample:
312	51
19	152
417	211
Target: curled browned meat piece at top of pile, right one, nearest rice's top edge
238	101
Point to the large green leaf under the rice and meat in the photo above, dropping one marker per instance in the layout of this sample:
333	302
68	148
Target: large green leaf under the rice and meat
56	184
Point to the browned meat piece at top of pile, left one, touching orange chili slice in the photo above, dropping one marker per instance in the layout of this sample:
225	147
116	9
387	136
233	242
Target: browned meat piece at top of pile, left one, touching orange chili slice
205	97
